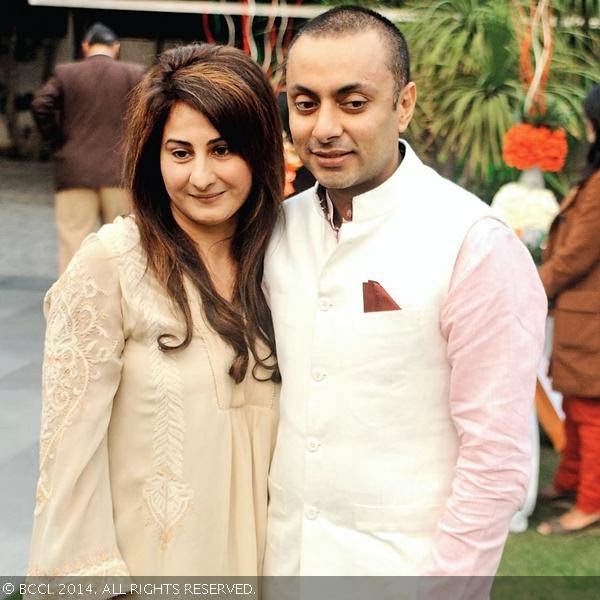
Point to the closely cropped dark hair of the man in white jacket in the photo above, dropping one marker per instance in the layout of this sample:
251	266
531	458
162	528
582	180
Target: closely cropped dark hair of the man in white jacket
344	20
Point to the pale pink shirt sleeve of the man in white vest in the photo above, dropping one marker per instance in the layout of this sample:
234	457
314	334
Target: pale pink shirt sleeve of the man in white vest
493	319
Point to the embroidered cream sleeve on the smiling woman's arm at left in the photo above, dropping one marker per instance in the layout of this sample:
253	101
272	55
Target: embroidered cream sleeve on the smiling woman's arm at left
73	532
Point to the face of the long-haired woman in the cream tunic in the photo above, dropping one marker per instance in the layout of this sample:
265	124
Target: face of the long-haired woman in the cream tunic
207	184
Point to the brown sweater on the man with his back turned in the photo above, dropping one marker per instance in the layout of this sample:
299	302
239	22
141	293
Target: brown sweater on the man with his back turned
80	111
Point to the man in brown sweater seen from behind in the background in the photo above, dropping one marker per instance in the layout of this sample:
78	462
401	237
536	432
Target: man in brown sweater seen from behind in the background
80	112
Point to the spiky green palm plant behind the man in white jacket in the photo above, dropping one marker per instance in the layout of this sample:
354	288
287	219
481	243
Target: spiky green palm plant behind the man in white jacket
466	63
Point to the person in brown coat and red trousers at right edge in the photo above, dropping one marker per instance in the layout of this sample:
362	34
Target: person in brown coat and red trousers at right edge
571	277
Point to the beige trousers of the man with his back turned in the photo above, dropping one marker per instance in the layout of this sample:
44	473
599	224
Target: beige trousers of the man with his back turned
77	211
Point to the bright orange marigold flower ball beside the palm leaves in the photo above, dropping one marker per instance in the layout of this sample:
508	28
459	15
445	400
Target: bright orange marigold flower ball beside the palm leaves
526	146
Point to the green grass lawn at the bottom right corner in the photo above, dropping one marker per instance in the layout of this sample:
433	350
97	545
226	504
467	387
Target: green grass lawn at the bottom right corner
530	553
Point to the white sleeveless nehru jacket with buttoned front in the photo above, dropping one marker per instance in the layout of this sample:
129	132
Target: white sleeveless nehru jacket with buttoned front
366	448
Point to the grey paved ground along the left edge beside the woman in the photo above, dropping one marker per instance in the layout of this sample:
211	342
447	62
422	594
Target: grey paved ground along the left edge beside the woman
28	266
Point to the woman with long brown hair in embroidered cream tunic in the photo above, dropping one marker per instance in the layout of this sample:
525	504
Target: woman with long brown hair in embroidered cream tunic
160	398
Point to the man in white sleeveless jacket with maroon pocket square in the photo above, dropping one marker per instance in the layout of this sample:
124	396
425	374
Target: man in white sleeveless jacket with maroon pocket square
409	324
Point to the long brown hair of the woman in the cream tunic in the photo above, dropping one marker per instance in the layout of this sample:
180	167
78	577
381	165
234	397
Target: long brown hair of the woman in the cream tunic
230	90
